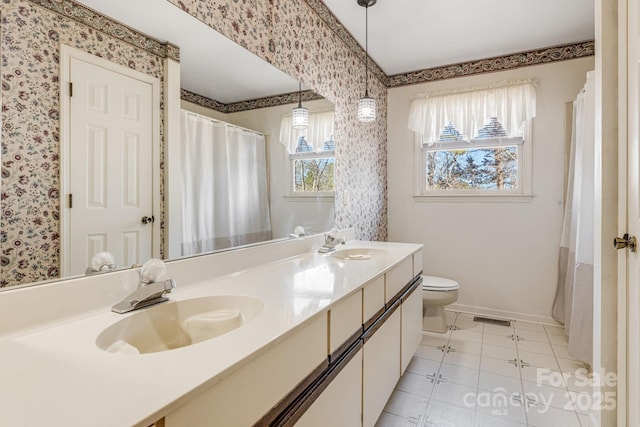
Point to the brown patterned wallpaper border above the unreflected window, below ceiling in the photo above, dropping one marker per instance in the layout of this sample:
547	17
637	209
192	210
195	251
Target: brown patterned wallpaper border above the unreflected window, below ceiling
498	63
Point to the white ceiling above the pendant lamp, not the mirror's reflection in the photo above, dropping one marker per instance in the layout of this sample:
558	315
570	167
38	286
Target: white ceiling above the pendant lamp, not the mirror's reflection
410	35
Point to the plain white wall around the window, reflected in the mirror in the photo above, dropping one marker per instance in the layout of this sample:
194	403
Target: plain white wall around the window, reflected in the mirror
314	214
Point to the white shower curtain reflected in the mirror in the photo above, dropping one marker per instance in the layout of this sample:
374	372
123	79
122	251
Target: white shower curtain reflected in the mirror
224	183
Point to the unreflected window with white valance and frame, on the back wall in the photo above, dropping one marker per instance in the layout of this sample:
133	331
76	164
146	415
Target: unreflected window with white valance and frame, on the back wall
493	161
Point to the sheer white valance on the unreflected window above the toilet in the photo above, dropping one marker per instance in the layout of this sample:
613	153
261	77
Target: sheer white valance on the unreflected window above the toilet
512	103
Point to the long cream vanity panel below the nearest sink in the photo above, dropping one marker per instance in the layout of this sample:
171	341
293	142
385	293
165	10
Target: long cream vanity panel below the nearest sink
247	394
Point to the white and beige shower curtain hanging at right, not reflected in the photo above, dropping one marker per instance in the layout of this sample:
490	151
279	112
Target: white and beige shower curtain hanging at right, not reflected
573	304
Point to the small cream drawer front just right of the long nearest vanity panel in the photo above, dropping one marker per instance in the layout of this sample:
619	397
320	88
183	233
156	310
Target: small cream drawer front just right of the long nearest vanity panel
345	320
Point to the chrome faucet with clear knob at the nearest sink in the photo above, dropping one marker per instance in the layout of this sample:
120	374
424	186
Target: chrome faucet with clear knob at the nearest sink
150	291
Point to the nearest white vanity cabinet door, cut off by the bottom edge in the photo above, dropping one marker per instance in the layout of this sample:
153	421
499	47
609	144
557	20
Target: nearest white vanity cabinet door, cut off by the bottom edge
341	402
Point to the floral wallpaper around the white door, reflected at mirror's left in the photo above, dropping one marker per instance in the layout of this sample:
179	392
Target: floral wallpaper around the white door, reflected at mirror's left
30	222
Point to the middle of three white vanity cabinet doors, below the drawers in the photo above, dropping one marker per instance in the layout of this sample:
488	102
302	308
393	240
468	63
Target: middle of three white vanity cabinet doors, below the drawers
381	368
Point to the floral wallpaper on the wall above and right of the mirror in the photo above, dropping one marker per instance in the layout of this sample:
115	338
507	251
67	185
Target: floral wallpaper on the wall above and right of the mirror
293	36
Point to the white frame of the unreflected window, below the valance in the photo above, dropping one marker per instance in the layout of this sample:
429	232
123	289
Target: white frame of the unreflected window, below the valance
525	176
